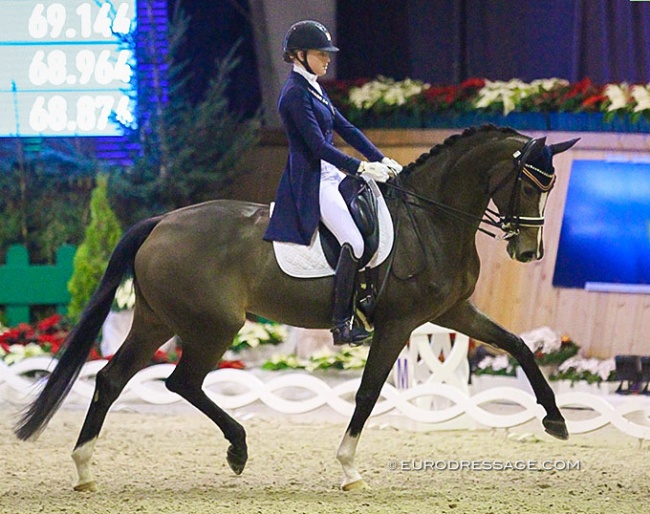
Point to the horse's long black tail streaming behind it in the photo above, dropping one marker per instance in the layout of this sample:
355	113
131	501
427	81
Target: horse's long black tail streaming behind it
80	340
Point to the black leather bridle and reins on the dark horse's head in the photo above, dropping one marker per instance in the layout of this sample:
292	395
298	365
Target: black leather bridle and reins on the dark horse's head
510	222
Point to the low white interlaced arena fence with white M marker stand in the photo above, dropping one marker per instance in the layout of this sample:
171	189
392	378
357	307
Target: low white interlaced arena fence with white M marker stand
421	389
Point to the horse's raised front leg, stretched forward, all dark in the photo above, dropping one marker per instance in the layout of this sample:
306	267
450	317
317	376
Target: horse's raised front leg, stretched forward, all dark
467	319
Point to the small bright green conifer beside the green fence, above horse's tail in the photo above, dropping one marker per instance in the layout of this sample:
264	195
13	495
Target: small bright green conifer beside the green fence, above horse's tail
91	258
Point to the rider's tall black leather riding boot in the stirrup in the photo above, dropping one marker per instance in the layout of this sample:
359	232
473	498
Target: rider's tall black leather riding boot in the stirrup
342	315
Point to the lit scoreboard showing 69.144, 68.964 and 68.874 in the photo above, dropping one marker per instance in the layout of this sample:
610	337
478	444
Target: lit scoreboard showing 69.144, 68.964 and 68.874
65	67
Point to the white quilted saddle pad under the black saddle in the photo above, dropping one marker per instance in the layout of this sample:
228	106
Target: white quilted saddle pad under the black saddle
309	261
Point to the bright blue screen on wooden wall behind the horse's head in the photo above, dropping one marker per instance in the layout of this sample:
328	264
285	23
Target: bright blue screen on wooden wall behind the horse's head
605	236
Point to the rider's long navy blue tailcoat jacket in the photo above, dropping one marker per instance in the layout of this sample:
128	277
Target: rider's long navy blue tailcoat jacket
309	121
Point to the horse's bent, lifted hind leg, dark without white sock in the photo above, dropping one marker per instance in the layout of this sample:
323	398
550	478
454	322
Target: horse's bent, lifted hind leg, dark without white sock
200	355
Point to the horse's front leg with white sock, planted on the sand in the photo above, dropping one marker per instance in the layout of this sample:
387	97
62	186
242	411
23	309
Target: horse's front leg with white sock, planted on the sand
386	346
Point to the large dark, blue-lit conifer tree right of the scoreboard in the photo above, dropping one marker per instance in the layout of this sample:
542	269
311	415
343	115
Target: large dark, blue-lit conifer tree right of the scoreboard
190	151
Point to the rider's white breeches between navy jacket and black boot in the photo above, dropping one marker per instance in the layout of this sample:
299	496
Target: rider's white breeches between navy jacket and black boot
336	216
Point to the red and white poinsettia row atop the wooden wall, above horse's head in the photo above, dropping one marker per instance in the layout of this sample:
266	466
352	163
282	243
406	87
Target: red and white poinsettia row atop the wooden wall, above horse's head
544	104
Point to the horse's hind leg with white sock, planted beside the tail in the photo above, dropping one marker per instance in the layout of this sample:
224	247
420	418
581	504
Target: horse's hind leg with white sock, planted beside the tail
146	335
